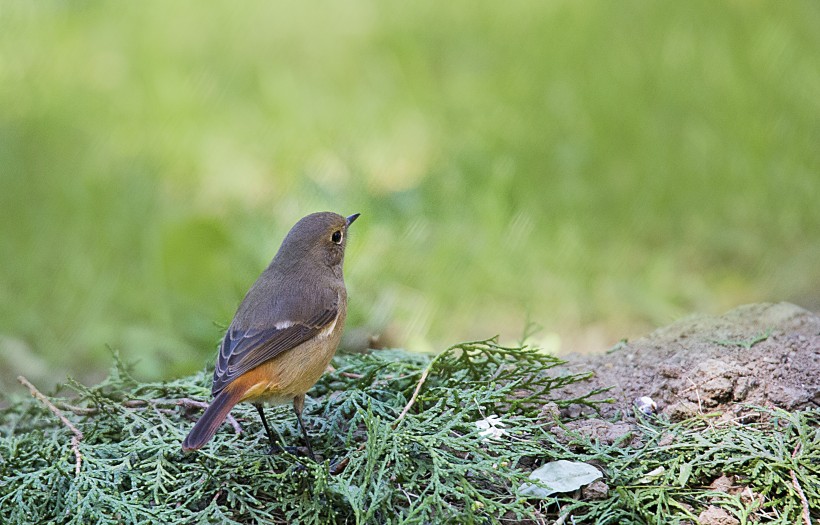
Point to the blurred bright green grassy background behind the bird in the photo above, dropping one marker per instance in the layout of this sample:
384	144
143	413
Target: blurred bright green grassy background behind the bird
596	168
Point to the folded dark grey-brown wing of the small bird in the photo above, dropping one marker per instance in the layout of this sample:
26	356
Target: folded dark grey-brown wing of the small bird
245	349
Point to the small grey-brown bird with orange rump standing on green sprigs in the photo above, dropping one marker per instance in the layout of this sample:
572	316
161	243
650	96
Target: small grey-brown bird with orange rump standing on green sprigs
285	331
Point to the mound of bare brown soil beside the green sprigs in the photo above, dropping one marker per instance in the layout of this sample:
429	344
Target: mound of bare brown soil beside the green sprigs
759	354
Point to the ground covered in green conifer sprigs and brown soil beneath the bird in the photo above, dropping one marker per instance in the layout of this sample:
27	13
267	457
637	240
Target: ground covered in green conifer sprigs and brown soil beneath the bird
400	429
